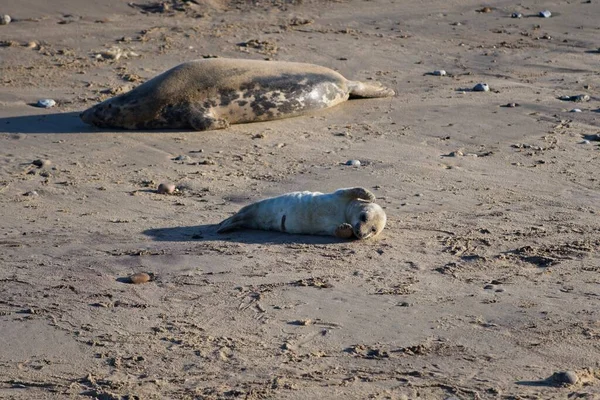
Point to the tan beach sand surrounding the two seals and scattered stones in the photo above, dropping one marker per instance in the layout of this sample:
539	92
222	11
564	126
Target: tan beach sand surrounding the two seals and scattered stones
484	283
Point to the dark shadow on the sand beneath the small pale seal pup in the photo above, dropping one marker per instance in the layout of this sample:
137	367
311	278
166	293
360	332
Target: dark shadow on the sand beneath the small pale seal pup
209	233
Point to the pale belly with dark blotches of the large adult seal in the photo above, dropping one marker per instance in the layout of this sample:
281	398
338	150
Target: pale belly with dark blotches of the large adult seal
278	98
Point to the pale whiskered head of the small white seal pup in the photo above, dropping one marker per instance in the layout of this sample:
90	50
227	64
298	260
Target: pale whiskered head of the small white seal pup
367	219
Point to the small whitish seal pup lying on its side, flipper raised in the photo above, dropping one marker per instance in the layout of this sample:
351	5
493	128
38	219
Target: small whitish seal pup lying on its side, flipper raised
343	213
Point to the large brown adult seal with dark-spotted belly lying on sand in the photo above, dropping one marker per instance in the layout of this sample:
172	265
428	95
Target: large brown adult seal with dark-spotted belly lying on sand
214	93
